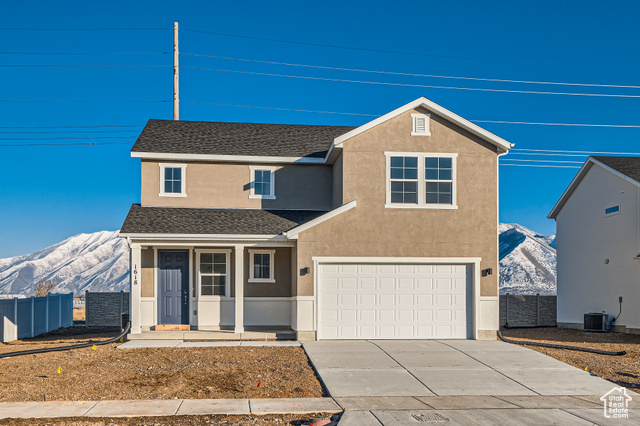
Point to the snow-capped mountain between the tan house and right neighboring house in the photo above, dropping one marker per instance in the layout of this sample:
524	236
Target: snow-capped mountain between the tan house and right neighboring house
527	261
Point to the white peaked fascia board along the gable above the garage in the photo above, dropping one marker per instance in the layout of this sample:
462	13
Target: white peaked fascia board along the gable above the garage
435	108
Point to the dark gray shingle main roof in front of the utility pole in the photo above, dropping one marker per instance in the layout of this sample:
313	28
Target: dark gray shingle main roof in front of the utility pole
215	138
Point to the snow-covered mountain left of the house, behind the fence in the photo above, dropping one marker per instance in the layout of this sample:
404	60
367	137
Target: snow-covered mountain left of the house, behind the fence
94	262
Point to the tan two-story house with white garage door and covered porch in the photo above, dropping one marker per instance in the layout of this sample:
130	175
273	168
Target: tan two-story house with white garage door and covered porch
387	230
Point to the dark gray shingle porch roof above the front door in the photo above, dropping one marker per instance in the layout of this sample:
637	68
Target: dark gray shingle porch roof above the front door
171	220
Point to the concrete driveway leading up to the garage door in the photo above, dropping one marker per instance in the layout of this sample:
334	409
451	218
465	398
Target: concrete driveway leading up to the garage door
394	382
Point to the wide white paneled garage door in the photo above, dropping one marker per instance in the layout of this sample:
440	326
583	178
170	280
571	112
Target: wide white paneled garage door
393	301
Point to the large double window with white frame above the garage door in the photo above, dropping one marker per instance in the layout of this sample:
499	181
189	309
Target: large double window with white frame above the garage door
419	180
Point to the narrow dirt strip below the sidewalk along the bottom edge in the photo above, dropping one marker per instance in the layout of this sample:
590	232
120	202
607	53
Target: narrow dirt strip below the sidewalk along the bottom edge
221	420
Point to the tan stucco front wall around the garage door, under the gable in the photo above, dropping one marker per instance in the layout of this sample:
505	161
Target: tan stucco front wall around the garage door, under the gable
372	230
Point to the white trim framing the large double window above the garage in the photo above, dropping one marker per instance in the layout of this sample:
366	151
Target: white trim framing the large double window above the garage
422	204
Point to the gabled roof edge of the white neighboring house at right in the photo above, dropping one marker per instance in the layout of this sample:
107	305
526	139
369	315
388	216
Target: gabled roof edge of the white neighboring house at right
626	168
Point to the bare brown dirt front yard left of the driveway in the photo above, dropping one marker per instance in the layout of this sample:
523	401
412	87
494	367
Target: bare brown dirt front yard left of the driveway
163	373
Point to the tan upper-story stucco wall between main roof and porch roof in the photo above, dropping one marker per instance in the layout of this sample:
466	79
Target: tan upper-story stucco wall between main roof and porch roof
210	185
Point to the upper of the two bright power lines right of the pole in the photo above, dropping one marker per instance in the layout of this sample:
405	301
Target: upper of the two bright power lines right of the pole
414	75
